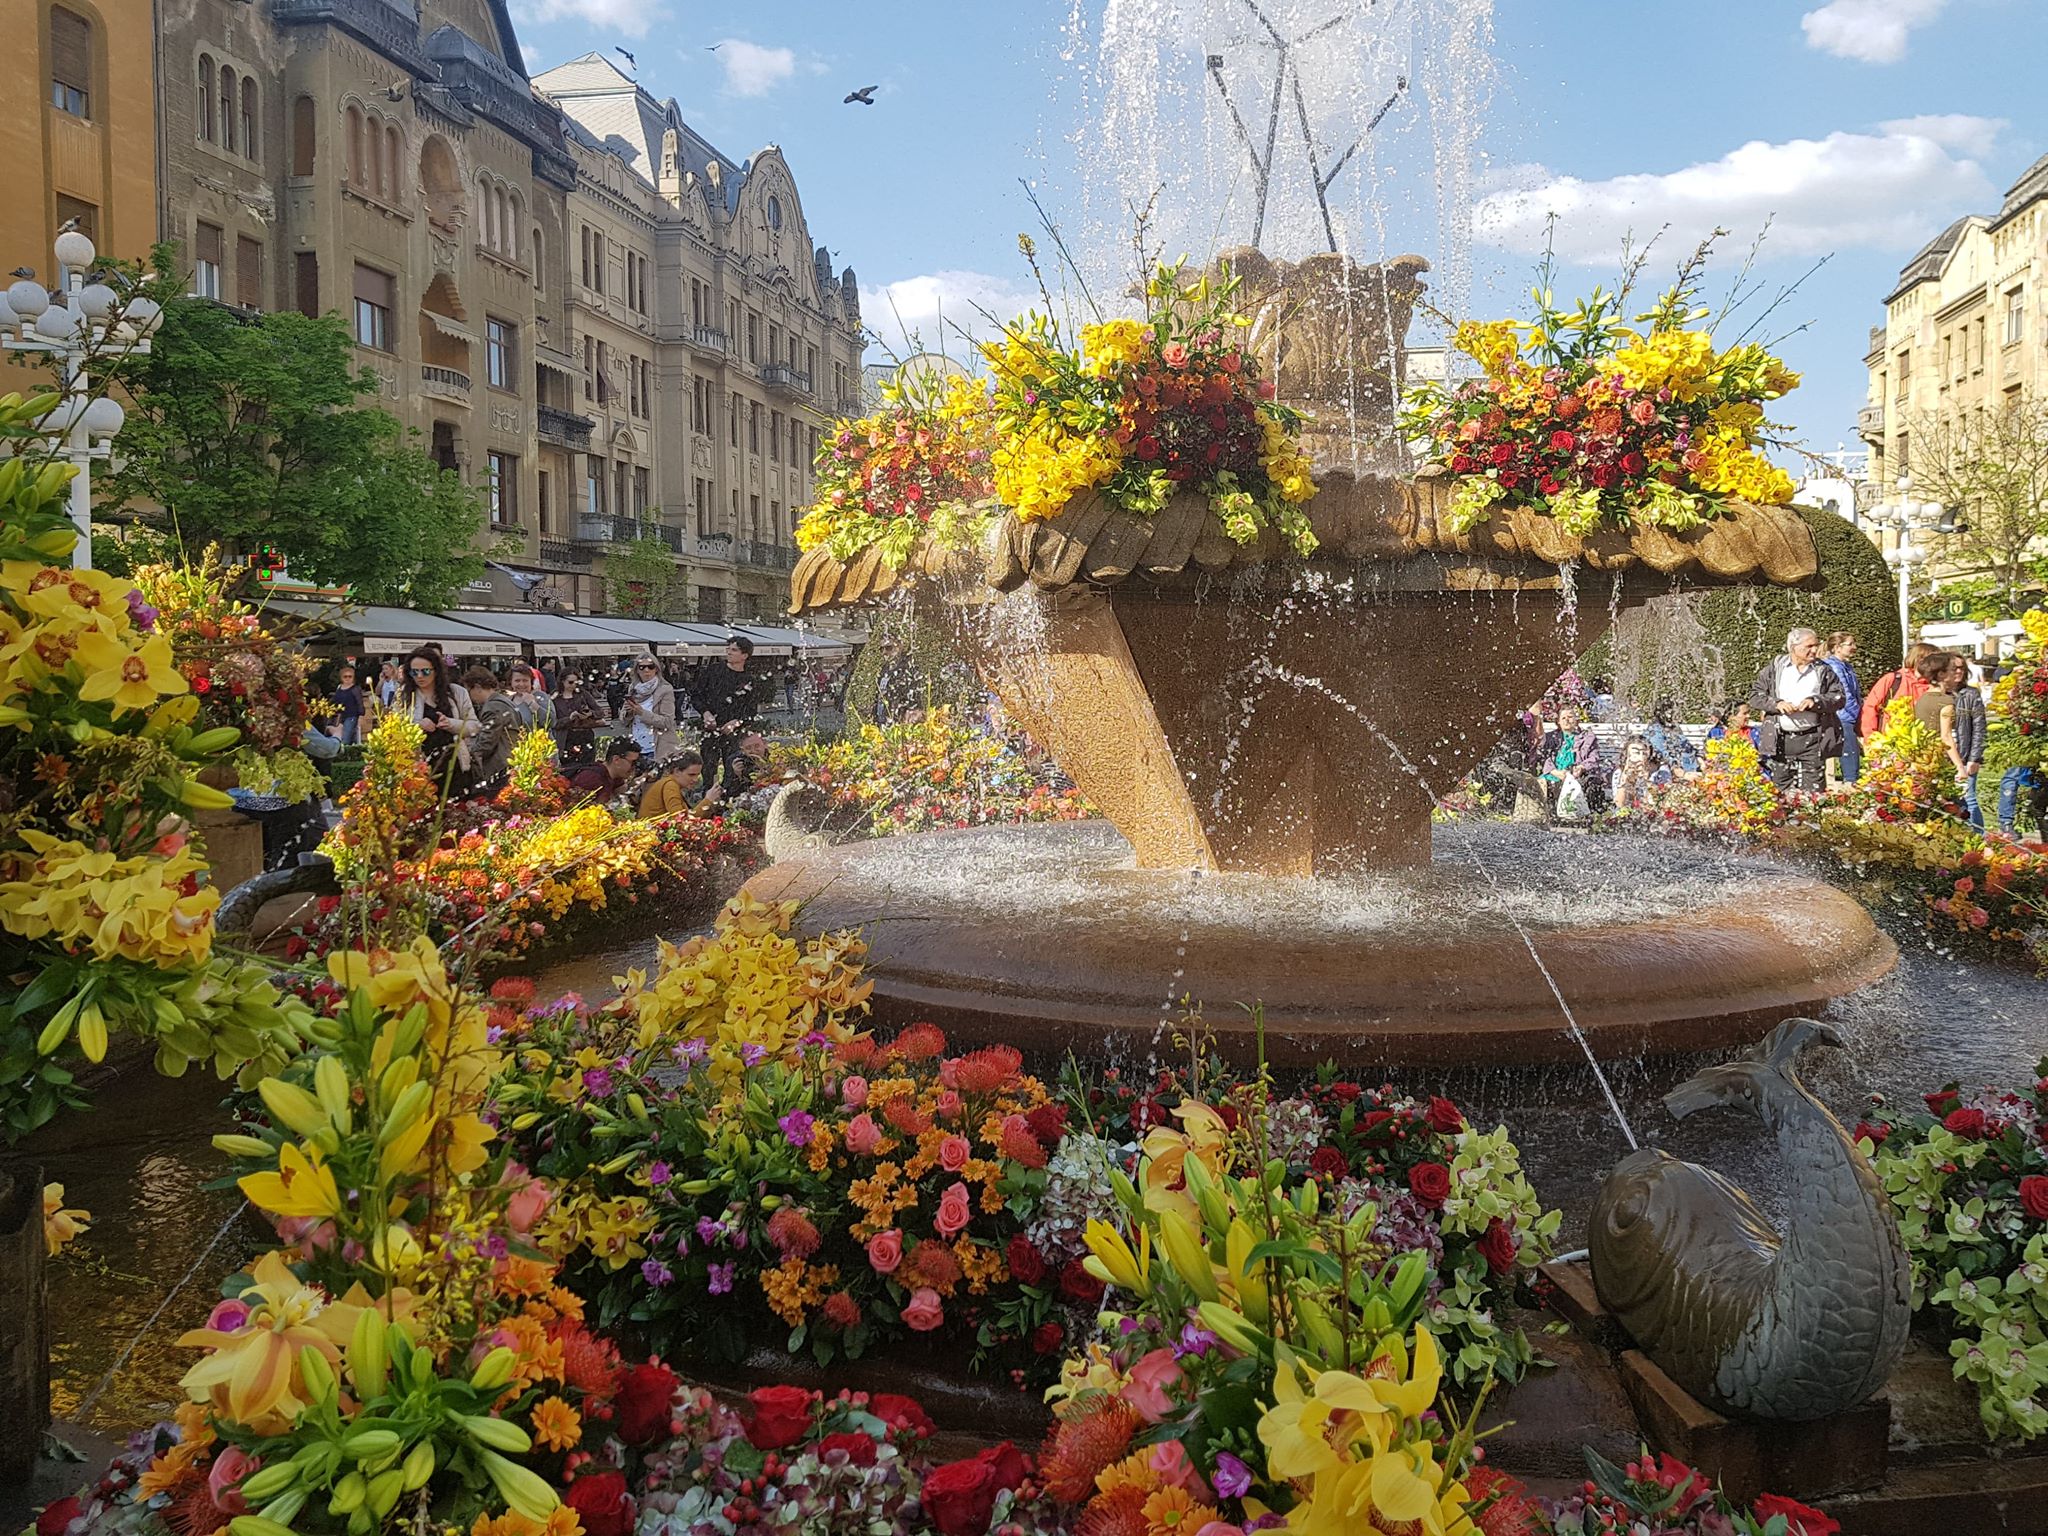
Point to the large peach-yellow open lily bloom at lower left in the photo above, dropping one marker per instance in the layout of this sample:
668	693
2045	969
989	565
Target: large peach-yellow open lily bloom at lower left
251	1375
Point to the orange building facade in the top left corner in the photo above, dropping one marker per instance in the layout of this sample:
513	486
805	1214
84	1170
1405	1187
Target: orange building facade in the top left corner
79	140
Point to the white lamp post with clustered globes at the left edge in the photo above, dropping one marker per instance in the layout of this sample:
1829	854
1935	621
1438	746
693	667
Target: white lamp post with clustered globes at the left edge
77	325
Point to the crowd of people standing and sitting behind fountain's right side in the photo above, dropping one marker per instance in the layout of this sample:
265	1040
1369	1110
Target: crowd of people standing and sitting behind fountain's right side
1807	716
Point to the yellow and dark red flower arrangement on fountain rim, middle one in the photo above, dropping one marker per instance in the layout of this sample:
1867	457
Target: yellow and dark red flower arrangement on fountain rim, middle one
1144	409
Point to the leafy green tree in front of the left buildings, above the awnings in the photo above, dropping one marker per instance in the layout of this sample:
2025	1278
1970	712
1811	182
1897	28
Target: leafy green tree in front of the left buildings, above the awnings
253	429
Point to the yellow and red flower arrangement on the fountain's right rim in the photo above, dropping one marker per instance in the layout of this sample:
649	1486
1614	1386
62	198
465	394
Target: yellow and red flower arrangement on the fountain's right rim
1605	423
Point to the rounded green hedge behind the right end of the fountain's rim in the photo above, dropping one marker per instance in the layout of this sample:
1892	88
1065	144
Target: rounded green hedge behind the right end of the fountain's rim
1709	646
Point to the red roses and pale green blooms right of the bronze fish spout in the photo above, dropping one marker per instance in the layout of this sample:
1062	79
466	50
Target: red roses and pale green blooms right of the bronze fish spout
1969	1181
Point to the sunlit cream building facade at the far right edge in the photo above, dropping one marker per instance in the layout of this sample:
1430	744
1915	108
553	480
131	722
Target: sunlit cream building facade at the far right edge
1965	333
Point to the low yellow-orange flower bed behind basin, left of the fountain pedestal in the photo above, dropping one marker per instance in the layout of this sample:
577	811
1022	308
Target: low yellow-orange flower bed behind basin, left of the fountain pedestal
927	775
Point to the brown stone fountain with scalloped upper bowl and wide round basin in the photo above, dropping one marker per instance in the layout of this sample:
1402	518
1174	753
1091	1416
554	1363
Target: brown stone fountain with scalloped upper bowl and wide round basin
1267	738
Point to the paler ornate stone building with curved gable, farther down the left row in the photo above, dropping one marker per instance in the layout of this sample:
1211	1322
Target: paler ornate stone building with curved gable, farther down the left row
714	341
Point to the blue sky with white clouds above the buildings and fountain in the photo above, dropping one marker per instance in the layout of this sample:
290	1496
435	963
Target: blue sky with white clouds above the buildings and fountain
1861	126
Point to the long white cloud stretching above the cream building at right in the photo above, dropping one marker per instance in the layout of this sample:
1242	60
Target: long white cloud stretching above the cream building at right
1885	189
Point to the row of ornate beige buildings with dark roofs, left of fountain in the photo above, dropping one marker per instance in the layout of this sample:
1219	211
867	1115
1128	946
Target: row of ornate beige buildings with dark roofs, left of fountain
611	329
